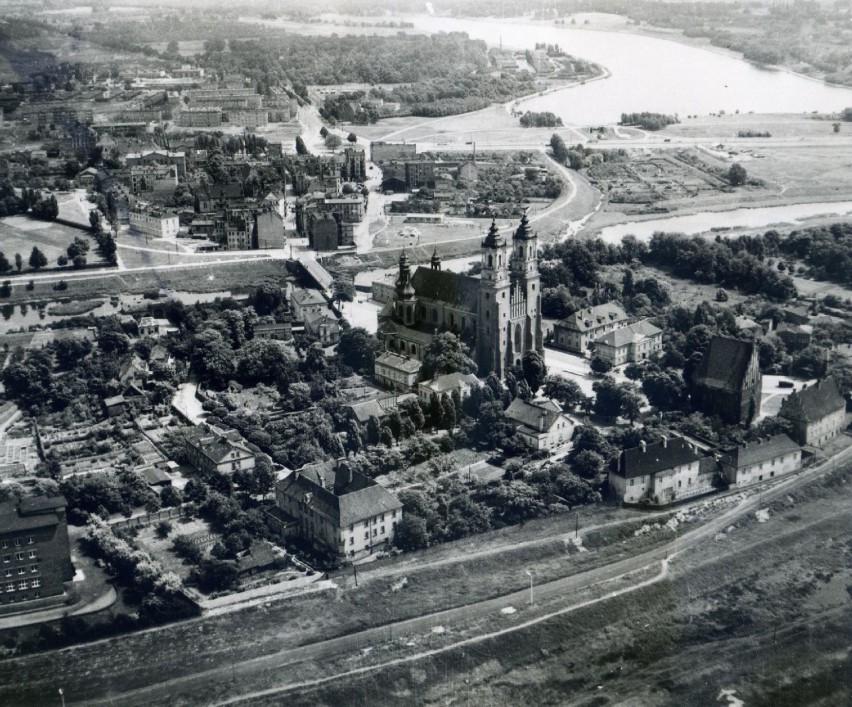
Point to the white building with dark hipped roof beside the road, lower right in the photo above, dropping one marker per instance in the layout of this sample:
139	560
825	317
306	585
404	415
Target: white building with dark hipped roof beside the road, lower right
662	473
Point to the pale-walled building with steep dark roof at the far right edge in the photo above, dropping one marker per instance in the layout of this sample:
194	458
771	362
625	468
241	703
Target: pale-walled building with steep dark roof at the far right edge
818	413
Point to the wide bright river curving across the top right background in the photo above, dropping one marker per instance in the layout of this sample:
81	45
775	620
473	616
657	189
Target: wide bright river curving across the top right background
650	74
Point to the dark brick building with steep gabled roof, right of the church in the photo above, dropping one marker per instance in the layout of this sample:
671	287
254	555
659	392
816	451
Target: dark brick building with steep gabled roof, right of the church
727	381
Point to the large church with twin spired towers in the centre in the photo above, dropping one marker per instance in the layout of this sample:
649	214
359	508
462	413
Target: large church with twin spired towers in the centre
498	314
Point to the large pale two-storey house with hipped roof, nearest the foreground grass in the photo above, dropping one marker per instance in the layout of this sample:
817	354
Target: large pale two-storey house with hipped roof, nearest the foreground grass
339	510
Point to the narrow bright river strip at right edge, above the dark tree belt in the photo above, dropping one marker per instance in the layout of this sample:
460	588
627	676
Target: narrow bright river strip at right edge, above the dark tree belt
735	219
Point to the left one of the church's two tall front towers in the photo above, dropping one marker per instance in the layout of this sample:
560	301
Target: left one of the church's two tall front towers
494	305
